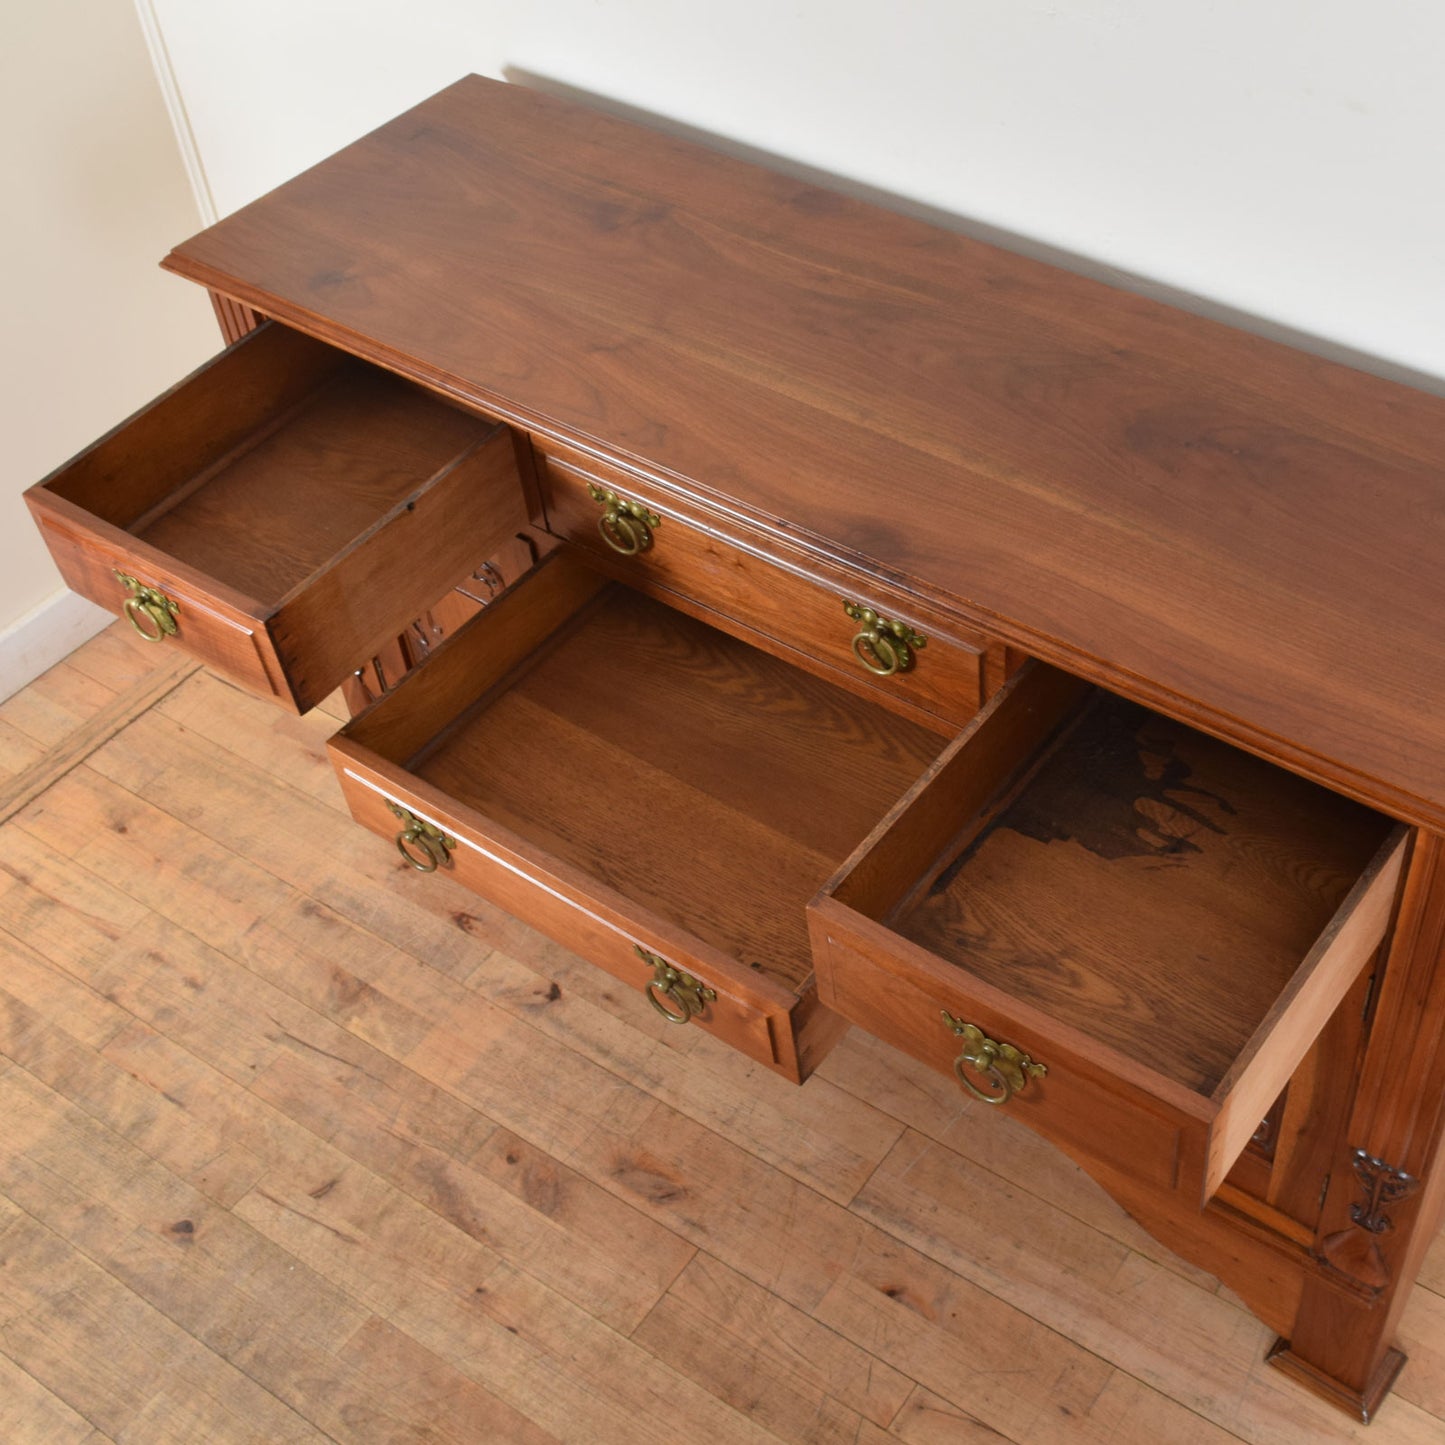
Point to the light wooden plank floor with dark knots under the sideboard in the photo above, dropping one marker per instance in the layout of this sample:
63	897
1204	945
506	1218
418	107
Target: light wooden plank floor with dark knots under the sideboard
298	1145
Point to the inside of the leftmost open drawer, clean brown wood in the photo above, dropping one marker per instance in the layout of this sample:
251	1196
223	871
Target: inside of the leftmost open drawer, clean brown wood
271	463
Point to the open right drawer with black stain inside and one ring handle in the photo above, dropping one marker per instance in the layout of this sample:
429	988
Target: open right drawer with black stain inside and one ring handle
1122	930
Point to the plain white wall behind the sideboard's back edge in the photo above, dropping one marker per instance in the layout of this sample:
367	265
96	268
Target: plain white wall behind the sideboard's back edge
1284	160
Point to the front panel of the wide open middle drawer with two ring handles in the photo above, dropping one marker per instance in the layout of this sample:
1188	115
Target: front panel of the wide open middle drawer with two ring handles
525	888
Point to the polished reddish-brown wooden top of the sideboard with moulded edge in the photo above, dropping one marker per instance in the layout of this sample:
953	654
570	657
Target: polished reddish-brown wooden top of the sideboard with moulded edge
1235	532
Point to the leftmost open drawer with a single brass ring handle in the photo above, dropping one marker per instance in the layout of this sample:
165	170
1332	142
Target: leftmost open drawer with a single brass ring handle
282	512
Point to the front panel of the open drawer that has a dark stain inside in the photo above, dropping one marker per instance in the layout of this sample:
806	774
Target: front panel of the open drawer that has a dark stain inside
1087	1115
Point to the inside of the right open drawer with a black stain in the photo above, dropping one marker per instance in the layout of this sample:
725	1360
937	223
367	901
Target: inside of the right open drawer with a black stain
1155	889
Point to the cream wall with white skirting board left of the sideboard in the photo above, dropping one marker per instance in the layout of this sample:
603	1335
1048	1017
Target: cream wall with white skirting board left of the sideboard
96	196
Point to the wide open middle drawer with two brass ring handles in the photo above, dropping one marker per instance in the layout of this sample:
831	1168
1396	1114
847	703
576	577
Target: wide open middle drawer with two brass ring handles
648	790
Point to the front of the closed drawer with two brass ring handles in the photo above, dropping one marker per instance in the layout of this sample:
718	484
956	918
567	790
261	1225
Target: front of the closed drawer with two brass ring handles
684	557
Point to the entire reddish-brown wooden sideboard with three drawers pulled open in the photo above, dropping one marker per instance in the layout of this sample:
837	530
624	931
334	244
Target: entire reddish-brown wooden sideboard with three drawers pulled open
898	632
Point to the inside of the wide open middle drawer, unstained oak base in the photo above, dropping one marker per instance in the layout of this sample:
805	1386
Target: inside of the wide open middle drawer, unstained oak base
690	772
